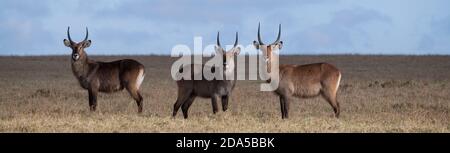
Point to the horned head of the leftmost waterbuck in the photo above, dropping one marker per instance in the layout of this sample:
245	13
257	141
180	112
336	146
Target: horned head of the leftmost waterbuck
77	48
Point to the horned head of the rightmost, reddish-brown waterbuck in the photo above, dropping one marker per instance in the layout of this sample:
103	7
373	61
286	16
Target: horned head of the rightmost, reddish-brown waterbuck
268	49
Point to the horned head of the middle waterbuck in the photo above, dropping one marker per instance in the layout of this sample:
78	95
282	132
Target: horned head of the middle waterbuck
228	56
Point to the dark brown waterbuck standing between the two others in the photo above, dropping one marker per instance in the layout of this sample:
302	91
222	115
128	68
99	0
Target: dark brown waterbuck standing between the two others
188	90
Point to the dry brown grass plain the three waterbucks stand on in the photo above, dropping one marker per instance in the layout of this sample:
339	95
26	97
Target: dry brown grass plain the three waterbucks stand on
377	94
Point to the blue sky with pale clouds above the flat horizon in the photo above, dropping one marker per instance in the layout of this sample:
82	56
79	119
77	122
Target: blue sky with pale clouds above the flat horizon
30	27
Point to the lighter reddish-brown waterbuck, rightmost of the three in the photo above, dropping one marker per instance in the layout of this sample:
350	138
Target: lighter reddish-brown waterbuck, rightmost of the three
302	81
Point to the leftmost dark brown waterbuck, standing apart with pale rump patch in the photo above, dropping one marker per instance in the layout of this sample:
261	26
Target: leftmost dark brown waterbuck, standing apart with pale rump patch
104	76
